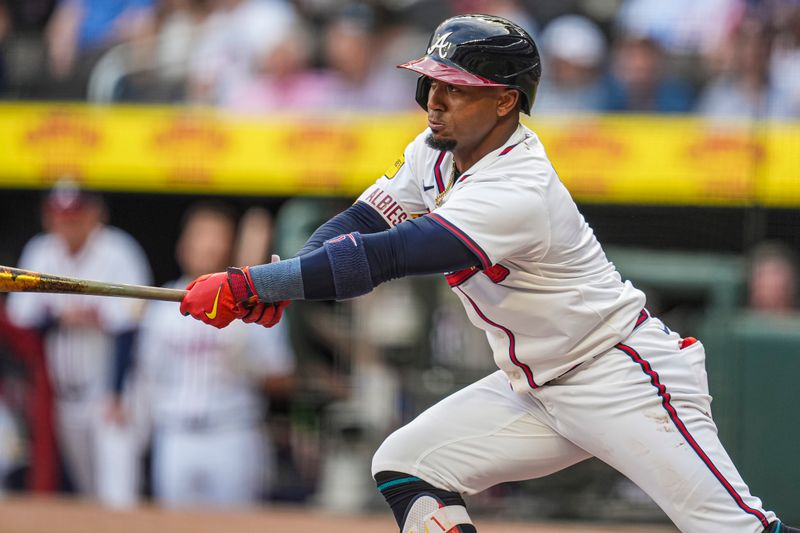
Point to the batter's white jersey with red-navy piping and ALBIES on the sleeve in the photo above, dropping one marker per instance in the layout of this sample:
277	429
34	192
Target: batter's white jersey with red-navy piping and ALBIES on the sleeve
546	295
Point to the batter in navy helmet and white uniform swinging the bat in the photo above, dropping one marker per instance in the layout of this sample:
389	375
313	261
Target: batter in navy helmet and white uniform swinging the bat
584	369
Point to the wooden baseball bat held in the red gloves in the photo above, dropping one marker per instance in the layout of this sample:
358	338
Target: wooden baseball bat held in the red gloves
18	280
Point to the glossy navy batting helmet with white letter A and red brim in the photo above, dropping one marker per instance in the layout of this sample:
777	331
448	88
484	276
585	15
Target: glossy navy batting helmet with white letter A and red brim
479	50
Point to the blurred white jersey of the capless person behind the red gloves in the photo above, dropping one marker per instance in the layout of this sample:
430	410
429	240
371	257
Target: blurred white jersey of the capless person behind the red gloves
204	375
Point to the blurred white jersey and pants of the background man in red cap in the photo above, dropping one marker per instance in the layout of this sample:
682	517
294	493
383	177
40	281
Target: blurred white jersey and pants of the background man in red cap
79	359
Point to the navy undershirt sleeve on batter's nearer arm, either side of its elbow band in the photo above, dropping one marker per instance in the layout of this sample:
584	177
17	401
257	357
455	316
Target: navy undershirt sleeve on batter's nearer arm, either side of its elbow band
415	247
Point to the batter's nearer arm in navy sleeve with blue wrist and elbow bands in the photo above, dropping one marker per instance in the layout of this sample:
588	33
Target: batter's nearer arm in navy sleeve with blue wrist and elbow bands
353	264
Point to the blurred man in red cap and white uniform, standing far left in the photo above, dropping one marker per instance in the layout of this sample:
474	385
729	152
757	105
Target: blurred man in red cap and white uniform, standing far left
88	340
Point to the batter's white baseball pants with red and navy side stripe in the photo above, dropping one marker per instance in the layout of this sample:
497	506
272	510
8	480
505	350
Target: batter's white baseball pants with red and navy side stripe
642	407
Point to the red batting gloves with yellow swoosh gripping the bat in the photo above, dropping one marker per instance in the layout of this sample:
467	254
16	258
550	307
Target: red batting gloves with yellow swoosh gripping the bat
217	299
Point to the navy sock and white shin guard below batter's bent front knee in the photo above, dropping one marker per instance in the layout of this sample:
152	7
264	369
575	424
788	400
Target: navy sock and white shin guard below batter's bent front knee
419	507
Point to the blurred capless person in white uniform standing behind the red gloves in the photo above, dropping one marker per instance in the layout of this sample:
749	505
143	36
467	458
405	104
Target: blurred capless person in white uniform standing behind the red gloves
204	386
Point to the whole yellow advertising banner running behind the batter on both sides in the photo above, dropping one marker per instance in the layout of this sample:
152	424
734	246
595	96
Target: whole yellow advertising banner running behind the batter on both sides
608	159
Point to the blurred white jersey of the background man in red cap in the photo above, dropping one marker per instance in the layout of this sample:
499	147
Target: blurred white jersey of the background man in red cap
79	359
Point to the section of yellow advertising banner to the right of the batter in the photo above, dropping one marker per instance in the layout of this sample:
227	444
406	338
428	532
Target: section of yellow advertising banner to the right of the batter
676	161
